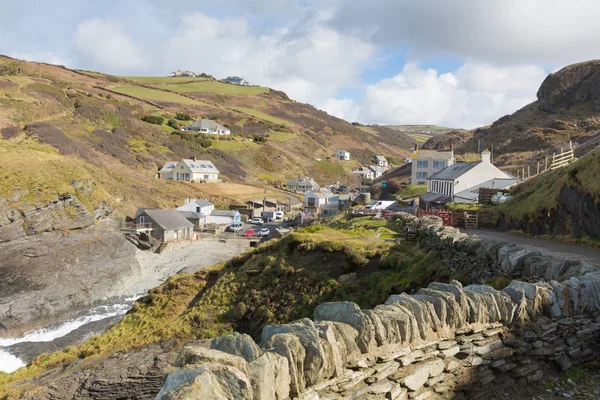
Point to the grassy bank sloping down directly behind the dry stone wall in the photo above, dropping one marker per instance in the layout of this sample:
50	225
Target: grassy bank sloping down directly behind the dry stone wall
277	282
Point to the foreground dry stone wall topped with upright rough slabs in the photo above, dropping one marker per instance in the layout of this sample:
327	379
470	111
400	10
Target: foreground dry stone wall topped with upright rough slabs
446	341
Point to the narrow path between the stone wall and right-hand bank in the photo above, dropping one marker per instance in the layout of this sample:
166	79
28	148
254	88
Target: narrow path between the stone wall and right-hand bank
545	246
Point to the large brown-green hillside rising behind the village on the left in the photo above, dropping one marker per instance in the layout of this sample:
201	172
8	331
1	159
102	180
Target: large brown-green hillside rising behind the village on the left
93	120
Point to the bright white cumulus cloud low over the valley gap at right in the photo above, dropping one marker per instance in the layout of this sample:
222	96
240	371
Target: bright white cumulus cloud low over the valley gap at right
475	95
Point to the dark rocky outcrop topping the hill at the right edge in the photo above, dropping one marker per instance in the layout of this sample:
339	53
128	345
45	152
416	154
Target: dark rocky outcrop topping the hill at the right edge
577	83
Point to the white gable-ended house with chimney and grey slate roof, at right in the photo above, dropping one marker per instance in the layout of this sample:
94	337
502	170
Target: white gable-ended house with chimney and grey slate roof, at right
460	182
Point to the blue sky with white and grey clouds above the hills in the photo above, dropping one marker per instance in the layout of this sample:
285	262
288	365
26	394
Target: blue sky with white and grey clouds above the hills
460	63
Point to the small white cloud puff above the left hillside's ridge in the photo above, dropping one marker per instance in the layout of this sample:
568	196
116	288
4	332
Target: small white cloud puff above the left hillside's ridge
105	44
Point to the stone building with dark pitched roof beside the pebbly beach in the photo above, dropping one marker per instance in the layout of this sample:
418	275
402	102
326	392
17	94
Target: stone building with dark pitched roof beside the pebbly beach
166	225
